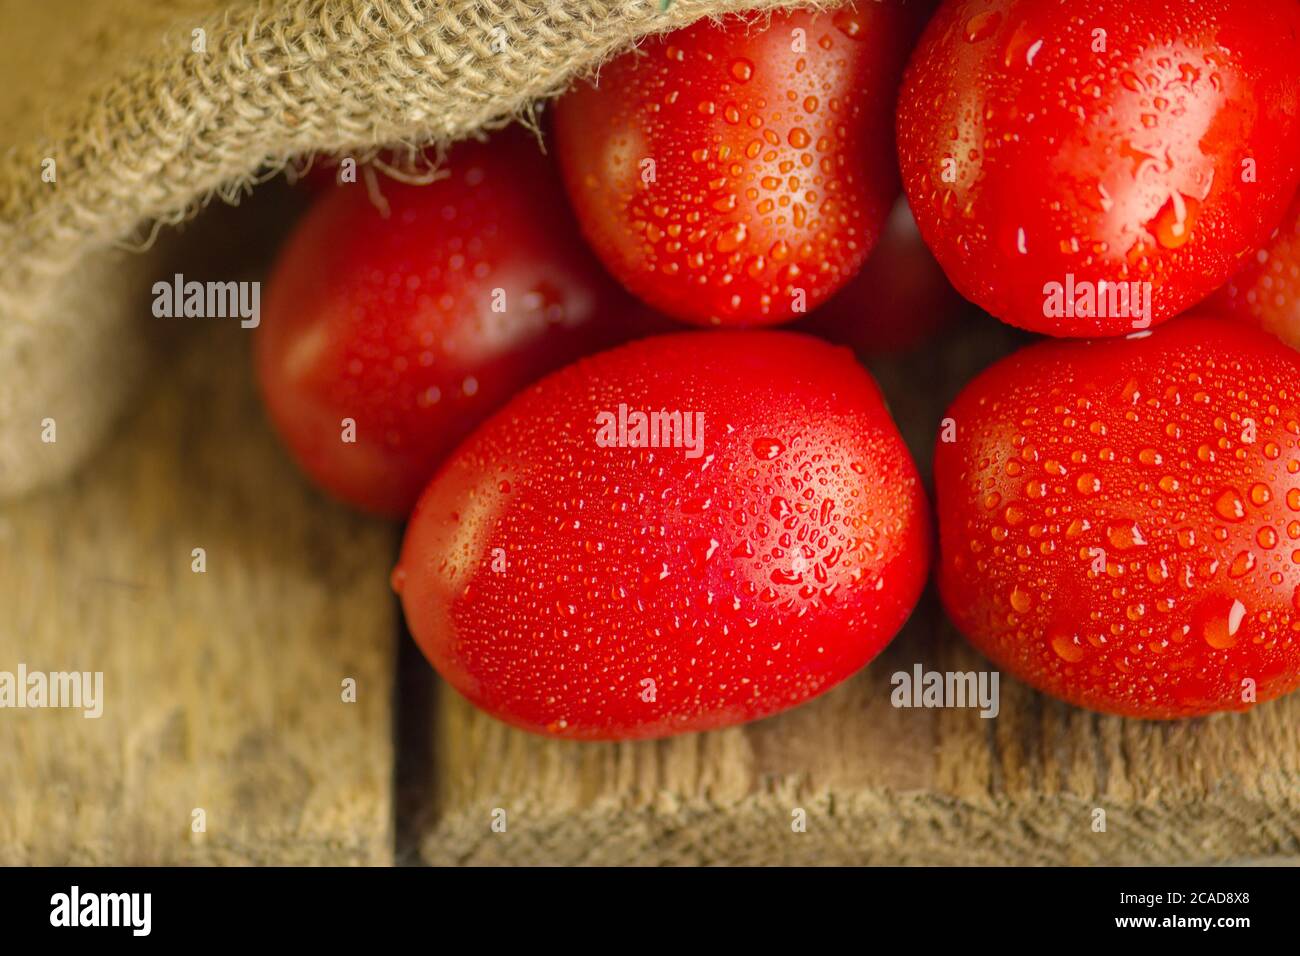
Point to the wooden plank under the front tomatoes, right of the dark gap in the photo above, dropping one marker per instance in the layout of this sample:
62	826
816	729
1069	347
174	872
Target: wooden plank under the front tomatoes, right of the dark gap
878	785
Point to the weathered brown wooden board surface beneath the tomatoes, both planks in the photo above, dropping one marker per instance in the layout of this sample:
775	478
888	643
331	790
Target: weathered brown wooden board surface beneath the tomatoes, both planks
224	694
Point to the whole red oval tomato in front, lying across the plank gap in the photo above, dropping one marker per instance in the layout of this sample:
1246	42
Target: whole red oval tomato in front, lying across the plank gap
577	583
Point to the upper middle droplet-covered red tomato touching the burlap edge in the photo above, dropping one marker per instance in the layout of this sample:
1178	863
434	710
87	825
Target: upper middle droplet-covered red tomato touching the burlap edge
739	175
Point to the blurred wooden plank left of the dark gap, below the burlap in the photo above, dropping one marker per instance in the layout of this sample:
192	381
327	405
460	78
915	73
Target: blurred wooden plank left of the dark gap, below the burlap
222	690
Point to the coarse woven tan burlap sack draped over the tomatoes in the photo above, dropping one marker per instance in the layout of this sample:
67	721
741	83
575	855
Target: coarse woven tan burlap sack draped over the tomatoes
141	129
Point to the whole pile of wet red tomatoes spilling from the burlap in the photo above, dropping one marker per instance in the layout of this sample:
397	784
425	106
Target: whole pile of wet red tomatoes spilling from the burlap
625	529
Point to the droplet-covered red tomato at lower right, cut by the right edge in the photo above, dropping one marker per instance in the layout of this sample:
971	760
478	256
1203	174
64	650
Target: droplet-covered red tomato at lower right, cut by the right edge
1120	521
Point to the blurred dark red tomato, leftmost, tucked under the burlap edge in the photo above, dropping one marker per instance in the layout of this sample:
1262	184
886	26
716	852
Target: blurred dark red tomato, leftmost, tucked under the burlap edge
419	325
